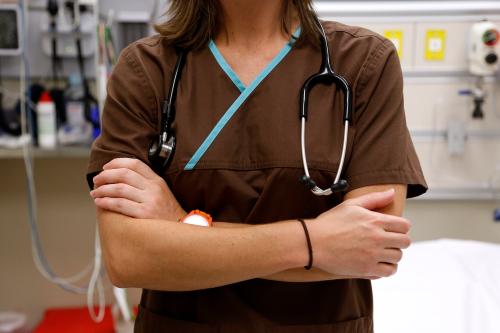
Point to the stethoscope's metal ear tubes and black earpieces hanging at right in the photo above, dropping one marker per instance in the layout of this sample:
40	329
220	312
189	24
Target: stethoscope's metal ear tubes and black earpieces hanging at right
325	75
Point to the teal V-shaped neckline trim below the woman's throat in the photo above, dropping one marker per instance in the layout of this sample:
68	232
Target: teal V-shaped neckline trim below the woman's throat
263	74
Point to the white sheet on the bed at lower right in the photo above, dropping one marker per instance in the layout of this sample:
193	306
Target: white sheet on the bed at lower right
442	286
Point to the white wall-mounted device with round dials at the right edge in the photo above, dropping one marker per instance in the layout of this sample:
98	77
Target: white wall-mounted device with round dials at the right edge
484	50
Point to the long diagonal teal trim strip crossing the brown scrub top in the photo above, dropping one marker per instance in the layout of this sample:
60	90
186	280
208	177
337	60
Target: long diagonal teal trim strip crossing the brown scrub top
239	101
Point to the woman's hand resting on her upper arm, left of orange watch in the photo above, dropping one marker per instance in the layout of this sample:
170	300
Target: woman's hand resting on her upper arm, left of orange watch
129	187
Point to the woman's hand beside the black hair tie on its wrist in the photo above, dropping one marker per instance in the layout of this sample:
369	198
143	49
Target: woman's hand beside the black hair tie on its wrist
354	240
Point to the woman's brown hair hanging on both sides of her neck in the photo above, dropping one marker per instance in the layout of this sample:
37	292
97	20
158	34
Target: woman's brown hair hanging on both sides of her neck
192	23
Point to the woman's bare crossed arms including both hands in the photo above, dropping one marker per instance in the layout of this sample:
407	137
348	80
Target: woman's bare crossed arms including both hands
144	246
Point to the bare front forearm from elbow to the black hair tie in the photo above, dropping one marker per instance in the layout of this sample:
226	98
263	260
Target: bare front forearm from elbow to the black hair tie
163	255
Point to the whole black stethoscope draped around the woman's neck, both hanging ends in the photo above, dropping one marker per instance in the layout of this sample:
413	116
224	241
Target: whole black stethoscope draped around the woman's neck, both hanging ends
162	149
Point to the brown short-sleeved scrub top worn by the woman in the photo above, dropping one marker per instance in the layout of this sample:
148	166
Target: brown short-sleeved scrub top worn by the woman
250	174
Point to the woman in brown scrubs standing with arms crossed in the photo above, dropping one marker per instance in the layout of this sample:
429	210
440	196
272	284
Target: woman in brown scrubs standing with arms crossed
246	273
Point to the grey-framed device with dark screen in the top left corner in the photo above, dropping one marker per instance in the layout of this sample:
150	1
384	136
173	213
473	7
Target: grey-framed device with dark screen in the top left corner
10	30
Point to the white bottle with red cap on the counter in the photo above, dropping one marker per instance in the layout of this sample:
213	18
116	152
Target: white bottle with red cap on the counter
46	122
